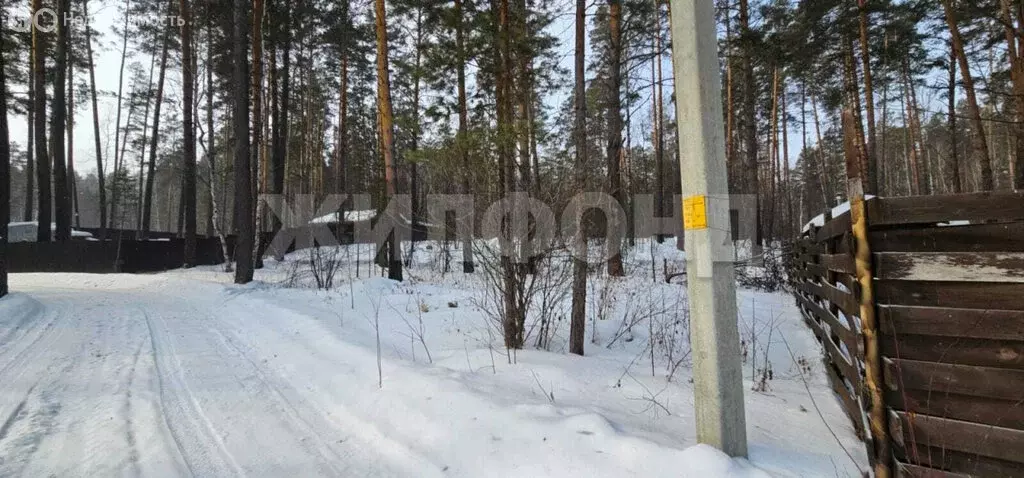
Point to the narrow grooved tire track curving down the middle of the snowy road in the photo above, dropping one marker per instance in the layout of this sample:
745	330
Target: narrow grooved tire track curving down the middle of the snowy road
194	436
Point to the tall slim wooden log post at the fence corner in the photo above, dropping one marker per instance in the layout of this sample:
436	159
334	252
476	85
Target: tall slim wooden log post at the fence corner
865	275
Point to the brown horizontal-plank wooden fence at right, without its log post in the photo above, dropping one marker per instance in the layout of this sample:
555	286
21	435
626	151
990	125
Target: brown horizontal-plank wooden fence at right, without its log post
949	280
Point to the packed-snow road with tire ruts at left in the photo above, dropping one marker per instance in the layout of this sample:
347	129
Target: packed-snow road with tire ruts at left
152	381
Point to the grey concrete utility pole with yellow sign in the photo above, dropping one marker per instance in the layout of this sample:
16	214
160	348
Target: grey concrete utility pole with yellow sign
718	378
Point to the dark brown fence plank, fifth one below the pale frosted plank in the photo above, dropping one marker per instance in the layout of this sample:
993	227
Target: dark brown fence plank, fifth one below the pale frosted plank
952	406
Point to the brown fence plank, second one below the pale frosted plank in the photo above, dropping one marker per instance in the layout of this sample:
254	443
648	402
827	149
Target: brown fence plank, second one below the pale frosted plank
942	322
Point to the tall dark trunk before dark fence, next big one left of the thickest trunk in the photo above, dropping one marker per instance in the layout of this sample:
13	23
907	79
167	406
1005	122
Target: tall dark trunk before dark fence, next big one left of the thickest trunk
189	124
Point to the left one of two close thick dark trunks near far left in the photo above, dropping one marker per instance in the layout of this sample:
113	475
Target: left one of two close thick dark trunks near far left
42	158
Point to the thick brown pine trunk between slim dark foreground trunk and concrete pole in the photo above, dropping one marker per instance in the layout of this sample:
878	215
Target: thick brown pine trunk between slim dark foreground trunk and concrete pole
615	126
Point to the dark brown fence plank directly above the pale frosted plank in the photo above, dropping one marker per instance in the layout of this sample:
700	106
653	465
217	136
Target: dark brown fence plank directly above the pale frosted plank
974	238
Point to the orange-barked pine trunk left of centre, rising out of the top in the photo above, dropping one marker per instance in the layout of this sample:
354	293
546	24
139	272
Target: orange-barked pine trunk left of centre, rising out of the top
388	128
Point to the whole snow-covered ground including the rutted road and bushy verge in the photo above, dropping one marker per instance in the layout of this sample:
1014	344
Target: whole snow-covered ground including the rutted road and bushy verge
186	374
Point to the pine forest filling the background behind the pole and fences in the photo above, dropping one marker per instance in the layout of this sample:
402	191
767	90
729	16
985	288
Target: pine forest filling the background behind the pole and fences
222	102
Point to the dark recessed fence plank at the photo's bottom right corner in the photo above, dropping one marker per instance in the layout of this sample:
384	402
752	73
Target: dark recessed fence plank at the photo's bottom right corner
959	462
